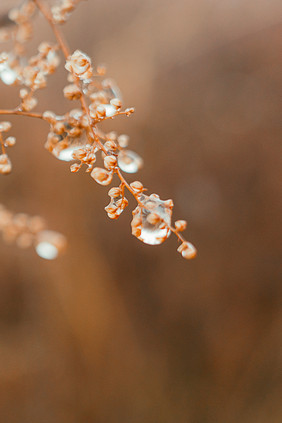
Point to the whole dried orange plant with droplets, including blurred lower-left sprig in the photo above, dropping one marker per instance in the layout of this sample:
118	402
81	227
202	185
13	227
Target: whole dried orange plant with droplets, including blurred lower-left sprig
77	135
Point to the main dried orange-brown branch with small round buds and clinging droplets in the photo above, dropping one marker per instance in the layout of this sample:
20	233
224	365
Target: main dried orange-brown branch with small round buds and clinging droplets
75	135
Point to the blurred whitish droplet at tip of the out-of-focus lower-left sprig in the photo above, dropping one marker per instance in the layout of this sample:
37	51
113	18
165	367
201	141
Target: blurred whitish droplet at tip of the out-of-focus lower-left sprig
49	244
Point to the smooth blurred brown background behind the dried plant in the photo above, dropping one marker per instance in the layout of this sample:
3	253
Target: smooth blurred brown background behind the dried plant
116	331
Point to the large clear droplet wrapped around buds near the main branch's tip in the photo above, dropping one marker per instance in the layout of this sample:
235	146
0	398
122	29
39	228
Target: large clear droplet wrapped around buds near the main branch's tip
150	222
